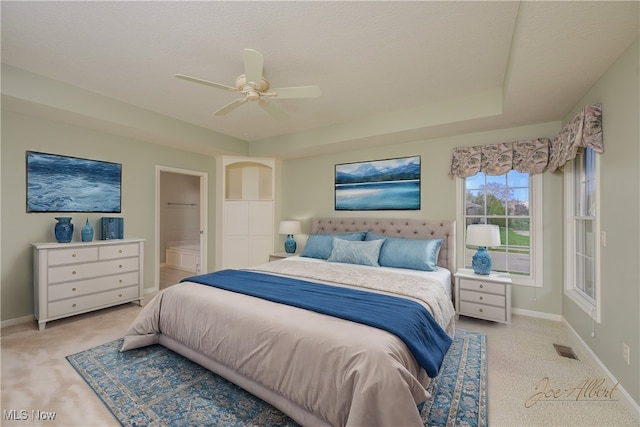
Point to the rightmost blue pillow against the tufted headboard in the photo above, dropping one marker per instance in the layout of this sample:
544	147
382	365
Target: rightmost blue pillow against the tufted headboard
415	254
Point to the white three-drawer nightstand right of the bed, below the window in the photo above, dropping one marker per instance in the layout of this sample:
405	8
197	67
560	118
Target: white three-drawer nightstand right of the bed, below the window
484	297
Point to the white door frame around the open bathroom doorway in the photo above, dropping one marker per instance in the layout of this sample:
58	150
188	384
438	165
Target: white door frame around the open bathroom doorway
204	219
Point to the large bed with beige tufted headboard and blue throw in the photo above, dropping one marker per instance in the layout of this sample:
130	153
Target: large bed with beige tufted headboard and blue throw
319	369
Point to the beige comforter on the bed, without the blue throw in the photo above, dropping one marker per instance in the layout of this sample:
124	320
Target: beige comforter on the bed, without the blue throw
342	372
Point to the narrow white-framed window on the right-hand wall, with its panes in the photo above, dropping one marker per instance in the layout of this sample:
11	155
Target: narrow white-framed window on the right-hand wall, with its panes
582	240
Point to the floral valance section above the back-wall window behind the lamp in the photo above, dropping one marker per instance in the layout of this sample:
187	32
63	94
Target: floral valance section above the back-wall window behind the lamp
497	159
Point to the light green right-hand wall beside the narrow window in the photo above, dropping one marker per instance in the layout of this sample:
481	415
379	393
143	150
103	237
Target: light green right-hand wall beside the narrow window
618	90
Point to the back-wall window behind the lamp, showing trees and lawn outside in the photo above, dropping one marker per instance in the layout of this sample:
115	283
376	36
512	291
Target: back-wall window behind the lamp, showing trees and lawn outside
513	202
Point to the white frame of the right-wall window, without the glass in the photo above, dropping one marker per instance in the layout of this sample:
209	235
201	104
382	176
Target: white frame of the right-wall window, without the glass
591	306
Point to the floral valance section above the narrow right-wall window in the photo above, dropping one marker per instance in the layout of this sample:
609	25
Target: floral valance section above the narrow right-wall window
585	130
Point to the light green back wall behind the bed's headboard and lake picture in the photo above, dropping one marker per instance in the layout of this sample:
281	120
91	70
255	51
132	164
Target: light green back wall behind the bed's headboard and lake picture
307	192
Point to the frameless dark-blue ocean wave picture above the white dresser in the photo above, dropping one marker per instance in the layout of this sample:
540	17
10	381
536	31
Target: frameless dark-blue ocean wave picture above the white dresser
58	183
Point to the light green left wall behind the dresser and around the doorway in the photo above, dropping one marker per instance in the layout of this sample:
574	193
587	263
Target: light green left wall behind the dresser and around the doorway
19	229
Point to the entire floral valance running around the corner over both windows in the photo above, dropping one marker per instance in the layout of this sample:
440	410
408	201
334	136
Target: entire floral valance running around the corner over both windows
532	156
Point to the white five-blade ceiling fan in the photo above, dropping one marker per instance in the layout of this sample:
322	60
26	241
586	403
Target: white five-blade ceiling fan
254	87
